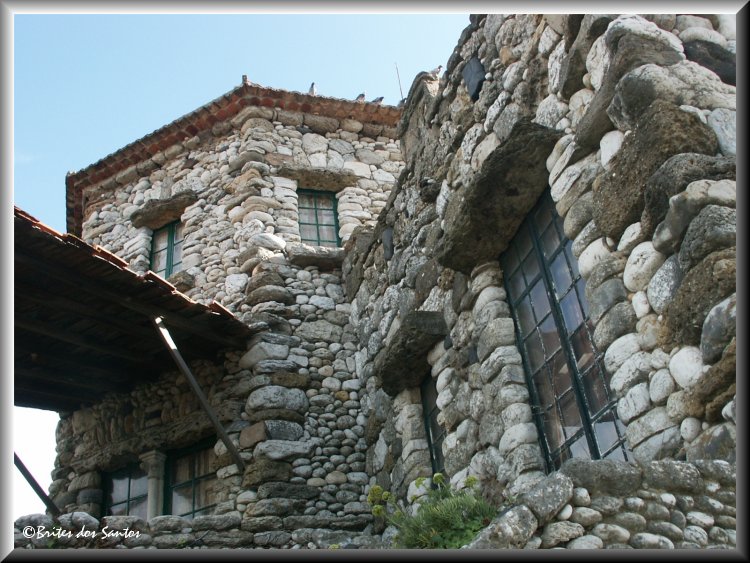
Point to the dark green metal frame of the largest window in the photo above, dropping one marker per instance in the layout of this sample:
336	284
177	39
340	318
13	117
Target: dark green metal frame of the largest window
554	457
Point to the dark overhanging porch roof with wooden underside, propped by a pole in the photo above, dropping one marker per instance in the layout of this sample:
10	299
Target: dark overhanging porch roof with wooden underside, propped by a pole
83	321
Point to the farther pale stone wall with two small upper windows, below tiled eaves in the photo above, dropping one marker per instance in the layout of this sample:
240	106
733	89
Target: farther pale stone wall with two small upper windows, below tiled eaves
289	401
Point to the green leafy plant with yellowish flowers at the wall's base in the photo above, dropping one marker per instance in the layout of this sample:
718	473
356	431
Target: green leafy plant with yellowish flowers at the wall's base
446	518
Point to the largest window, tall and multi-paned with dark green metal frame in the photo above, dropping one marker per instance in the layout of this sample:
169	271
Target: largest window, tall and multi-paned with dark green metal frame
574	410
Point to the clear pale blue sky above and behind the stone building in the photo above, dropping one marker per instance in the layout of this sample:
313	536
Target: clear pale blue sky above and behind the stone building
85	86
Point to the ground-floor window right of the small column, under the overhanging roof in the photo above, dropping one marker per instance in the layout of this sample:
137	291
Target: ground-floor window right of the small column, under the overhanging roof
190	479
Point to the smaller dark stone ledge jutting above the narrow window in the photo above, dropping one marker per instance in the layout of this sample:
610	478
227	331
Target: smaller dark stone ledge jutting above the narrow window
403	363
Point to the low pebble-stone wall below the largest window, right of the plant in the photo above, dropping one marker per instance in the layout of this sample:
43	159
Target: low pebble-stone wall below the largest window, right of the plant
616	505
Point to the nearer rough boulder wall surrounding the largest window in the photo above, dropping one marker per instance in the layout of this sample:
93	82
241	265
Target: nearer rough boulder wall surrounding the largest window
620	118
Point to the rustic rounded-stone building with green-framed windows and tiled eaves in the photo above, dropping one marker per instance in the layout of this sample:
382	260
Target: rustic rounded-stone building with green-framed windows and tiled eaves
527	274
